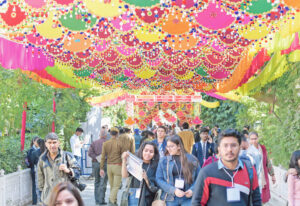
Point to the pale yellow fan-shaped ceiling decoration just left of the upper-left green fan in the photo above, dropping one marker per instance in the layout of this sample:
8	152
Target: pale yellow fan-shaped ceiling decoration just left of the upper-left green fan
48	29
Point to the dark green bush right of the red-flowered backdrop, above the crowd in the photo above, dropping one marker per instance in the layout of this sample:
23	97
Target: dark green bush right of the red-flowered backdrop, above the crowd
224	115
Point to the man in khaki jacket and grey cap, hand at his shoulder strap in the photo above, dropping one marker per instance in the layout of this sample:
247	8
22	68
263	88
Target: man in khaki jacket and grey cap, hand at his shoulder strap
55	166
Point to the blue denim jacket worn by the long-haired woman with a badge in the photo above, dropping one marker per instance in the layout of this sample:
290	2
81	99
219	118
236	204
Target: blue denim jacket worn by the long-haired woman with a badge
161	176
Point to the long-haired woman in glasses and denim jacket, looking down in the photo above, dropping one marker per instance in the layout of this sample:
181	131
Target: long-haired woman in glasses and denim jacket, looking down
176	173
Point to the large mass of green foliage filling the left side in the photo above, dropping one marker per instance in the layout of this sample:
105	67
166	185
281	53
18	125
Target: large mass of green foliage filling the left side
15	89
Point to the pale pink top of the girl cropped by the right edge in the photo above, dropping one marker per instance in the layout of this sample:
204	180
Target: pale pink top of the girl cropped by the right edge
294	190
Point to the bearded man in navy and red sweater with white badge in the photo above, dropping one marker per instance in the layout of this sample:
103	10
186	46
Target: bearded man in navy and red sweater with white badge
228	181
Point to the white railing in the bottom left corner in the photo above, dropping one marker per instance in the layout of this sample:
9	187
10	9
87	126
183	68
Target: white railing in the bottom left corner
15	188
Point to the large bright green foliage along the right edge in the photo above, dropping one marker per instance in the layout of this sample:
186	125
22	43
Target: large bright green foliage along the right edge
277	121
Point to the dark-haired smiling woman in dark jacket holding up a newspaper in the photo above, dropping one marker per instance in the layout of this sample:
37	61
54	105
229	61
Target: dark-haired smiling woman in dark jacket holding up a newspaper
142	193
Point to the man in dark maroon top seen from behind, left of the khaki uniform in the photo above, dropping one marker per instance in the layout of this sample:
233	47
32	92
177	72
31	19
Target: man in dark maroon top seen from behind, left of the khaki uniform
100	183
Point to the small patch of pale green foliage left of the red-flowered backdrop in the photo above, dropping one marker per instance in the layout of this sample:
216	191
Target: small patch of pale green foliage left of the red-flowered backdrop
116	113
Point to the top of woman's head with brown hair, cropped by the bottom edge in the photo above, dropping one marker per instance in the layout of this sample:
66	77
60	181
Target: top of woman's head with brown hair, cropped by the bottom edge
65	194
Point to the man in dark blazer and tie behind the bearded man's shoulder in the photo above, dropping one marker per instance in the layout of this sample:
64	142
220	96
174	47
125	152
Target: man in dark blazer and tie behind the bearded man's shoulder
203	149
